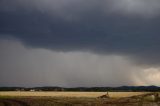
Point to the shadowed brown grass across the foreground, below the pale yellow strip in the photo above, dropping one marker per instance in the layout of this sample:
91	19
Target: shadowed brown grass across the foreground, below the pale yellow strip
70	101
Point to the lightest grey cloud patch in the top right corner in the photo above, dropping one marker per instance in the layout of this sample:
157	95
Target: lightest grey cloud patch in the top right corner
137	7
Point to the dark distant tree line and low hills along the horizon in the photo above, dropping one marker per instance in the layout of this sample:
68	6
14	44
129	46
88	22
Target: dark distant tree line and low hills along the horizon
87	89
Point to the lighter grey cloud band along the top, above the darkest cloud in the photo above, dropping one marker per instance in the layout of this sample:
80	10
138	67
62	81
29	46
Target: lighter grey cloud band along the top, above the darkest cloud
67	8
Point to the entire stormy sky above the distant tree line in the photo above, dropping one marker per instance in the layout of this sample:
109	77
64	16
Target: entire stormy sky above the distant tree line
79	43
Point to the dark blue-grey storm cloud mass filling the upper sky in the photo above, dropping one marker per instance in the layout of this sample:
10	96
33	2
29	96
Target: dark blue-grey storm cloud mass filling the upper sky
128	27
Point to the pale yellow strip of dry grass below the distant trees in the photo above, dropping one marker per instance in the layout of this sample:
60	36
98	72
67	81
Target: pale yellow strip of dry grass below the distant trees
70	94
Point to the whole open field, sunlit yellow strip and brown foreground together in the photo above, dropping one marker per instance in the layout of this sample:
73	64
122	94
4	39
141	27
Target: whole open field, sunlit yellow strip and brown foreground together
74	99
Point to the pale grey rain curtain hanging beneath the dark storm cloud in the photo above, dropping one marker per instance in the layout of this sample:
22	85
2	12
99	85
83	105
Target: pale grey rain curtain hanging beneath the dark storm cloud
23	66
